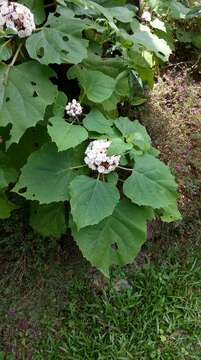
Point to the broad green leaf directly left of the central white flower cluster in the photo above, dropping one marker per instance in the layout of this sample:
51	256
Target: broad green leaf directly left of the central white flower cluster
47	174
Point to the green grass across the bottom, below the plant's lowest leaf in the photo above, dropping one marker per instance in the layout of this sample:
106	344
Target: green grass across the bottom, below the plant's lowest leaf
57	315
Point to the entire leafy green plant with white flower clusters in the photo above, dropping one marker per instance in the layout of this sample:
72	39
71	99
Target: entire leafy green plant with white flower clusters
79	163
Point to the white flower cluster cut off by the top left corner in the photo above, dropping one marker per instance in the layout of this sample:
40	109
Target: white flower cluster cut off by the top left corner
16	17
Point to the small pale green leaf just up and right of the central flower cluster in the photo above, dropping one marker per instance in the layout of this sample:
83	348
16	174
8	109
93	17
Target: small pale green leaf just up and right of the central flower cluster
134	132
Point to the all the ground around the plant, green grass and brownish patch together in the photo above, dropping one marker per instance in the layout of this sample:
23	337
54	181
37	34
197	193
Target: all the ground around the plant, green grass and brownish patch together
54	306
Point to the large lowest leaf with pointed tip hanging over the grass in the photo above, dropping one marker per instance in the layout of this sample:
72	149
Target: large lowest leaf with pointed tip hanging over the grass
116	240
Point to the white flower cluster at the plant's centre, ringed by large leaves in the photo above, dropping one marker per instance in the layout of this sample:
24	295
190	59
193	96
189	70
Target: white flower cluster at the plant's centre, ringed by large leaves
97	158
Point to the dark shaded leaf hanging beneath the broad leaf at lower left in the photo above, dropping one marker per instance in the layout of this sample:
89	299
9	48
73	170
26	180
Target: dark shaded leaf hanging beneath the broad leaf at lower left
48	220
